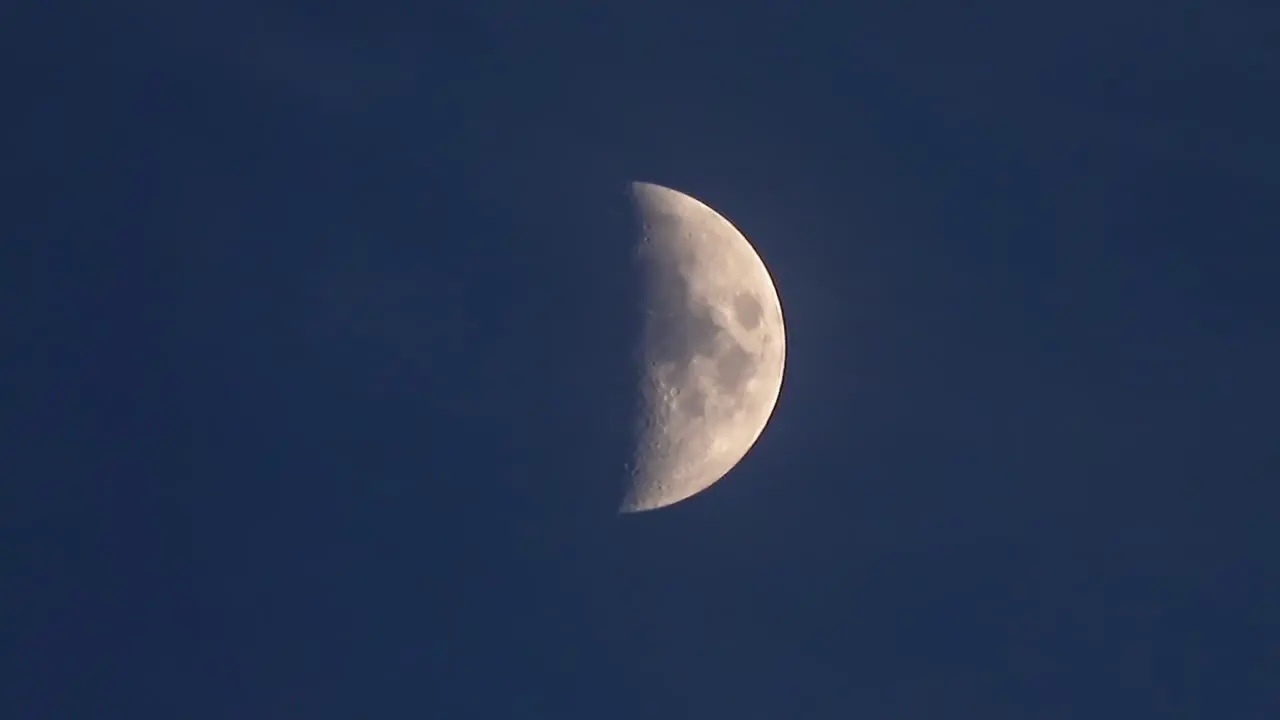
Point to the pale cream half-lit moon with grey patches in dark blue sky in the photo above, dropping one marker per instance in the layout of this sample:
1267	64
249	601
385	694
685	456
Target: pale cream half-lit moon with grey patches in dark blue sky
712	349
